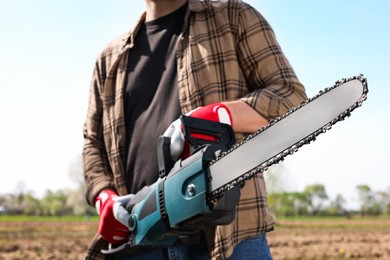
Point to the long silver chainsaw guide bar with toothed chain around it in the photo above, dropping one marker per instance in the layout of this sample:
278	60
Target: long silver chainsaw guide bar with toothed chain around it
286	134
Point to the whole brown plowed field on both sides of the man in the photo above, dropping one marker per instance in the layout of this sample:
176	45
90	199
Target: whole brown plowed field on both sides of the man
292	239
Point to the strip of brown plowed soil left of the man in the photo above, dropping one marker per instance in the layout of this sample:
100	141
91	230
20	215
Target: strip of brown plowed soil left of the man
45	240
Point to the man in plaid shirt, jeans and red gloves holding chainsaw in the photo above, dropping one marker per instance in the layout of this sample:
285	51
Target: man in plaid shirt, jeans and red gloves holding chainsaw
183	55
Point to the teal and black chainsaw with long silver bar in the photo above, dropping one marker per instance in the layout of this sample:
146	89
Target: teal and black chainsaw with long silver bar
204	188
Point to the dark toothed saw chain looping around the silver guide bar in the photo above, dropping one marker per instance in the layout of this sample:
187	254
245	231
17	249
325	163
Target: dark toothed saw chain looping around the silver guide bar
294	148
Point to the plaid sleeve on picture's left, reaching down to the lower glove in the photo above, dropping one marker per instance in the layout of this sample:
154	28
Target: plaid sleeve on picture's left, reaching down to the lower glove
97	173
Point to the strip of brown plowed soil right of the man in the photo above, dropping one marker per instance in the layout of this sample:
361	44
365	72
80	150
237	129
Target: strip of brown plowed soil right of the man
331	239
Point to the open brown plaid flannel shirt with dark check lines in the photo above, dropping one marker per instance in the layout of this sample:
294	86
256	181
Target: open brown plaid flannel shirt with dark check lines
227	51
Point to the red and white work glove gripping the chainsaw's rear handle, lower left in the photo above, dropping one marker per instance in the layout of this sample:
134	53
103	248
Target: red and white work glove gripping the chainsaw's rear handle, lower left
113	216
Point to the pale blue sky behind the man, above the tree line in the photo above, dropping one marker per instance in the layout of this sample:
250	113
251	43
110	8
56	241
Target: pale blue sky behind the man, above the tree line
47	52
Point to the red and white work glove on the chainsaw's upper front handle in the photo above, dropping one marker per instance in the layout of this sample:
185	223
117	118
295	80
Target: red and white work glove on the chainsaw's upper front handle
179	147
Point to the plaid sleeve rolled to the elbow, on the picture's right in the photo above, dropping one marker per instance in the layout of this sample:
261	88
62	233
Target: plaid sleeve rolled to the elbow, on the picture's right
273	85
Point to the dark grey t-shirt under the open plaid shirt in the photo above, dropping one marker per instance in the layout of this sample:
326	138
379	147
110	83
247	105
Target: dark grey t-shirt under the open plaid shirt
151	95
